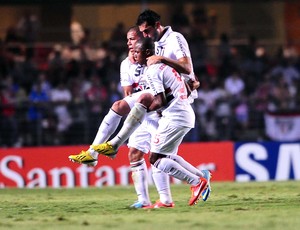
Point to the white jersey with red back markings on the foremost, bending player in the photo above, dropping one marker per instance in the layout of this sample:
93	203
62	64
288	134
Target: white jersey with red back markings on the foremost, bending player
163	78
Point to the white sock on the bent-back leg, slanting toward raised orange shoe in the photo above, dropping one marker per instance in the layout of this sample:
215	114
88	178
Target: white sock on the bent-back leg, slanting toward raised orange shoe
174	169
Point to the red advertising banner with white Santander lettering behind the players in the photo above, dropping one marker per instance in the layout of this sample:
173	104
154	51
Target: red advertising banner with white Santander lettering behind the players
49	166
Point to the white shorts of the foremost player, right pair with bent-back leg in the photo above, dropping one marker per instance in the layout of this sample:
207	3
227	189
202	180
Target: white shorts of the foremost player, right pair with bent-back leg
168	137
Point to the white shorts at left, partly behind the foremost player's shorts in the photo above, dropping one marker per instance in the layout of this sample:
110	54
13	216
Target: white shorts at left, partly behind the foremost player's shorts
141	137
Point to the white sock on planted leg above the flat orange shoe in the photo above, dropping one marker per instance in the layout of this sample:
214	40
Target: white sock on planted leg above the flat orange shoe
162	184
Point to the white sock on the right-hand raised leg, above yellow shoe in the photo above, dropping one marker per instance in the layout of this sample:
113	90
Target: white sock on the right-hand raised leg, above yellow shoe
133	120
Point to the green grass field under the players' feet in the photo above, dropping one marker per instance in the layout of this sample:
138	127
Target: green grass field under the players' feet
255	205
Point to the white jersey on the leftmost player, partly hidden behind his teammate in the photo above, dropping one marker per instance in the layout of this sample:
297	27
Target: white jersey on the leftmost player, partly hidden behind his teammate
132	74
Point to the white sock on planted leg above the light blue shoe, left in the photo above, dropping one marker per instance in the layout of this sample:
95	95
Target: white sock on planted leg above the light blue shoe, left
139	176
